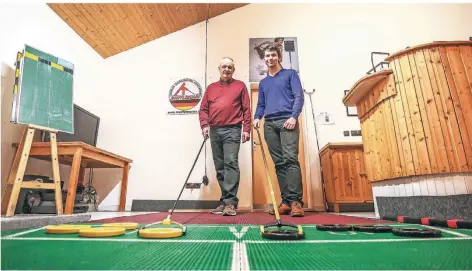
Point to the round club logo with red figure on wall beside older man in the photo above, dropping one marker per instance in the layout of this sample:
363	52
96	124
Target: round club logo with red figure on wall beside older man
184	95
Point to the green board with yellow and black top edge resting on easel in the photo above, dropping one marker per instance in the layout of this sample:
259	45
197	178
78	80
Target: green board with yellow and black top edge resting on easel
43	91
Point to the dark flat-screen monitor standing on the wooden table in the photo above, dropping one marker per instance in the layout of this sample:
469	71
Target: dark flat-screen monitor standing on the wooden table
85	128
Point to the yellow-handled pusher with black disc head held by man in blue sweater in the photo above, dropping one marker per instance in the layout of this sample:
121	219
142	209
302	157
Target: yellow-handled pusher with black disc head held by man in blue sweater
277	233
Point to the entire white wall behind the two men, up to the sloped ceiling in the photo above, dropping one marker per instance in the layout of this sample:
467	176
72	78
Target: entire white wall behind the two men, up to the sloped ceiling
334	42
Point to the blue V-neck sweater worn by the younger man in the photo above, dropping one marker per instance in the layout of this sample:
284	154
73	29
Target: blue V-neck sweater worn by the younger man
280	96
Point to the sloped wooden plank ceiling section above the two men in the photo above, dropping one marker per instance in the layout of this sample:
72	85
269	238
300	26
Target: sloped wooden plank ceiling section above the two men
114	28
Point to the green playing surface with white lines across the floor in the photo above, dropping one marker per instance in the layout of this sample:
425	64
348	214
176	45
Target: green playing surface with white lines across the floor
237	247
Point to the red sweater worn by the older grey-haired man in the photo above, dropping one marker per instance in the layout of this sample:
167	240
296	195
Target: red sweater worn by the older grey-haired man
226	104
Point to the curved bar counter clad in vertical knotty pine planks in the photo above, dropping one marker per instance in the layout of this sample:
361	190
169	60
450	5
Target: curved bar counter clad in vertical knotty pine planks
418	120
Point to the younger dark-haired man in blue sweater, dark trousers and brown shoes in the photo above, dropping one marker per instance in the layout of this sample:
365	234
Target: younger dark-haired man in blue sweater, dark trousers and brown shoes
280	102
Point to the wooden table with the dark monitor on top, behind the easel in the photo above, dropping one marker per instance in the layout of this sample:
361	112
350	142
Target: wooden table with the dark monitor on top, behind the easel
81	156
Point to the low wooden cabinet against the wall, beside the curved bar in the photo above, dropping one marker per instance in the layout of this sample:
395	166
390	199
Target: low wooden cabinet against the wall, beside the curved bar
344	176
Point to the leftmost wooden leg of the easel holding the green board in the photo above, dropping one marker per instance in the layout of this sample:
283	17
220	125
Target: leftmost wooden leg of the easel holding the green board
15	179
